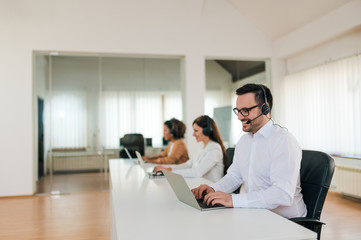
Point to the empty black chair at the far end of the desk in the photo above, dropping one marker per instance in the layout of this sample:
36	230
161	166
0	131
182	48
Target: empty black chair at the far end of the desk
133	142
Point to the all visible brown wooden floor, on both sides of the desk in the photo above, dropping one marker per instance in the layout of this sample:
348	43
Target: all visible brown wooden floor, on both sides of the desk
86	214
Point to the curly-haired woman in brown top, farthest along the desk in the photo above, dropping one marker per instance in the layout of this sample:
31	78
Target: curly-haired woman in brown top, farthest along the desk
176	151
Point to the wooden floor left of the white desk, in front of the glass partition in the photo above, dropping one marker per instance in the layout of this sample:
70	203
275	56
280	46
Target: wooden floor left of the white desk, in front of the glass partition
82	216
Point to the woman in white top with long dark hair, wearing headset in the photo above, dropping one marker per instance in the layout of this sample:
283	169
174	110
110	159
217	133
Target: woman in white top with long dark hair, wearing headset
209	161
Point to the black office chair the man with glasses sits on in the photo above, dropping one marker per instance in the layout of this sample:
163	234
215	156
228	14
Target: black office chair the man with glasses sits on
317	169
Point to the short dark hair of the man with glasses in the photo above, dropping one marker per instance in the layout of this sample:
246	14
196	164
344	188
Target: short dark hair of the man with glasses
257	90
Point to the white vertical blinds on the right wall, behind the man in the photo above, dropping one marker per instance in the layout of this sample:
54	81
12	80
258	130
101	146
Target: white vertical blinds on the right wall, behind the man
323	107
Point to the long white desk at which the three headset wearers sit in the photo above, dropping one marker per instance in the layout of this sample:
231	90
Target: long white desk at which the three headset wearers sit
144	208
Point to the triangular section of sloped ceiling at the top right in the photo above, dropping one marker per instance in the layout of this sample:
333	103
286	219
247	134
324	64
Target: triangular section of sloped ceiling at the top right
276	18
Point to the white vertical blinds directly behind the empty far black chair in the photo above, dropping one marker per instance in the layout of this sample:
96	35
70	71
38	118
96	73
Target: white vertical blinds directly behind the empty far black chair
137	112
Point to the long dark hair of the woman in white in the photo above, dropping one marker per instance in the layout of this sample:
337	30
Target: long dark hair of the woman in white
212	131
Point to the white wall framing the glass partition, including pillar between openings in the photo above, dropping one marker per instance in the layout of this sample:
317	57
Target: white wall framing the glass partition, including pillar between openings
156	27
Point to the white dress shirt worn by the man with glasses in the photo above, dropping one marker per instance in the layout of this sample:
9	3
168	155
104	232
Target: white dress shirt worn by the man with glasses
268	165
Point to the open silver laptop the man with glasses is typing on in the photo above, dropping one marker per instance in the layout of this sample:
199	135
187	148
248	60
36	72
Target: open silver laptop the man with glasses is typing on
184	194
